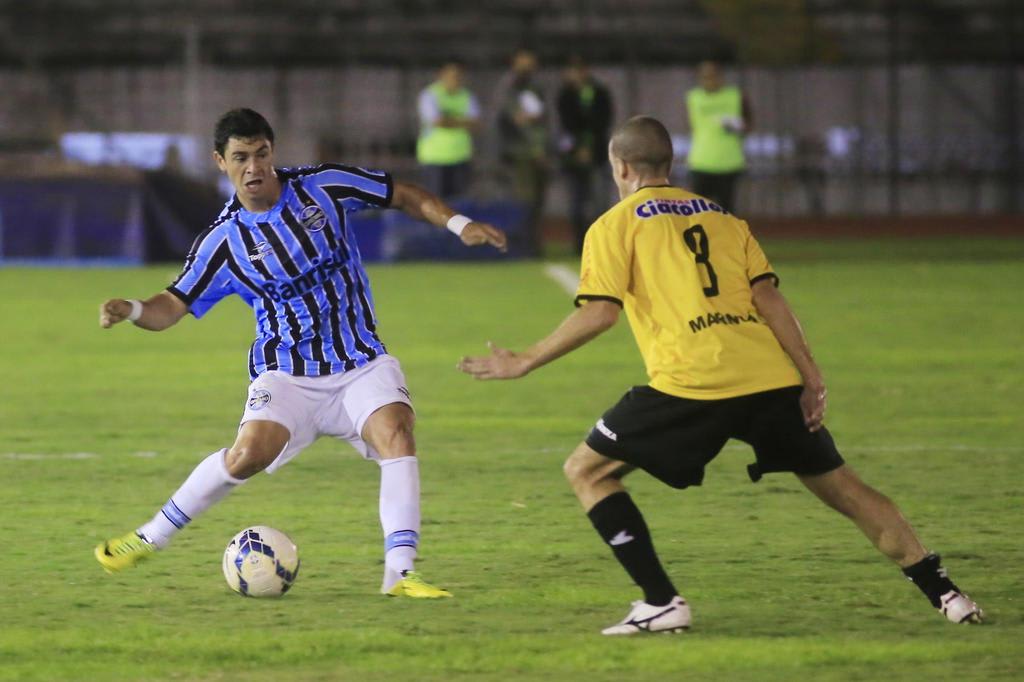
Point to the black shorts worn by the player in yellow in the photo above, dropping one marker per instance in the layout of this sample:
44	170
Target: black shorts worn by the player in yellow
674	439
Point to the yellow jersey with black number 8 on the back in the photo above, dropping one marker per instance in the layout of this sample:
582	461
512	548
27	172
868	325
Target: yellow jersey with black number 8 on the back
682	270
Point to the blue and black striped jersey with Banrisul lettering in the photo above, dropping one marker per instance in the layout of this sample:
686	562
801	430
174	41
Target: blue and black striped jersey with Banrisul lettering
297	266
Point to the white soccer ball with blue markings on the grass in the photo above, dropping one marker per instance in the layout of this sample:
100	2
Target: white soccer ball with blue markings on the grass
262	563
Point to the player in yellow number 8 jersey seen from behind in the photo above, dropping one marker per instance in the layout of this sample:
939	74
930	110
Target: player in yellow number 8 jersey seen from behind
728	360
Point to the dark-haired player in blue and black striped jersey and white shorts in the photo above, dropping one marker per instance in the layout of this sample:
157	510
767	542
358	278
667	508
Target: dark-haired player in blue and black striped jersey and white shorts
318	365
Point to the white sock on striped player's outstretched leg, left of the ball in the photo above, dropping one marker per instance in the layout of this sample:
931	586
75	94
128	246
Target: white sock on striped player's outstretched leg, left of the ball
207	485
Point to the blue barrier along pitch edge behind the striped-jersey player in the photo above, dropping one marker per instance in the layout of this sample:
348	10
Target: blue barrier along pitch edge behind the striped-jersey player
148	218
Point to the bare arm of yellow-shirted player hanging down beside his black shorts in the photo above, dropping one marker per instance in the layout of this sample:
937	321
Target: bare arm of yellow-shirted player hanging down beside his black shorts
784	324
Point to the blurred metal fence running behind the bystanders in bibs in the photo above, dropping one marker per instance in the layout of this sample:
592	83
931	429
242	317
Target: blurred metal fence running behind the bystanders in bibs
827	141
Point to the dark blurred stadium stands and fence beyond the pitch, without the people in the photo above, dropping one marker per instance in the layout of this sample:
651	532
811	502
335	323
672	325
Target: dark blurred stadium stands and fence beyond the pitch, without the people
866	111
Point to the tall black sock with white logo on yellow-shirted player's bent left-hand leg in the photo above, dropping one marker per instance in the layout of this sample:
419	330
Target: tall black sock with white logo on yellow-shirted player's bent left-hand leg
621	525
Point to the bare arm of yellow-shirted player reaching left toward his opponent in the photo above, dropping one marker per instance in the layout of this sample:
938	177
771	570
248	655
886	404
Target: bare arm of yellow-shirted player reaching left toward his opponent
583	325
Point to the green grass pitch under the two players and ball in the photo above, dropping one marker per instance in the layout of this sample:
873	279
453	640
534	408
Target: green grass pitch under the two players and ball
922	343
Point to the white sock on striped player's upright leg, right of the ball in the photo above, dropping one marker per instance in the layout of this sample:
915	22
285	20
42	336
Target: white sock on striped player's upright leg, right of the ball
400	511
